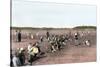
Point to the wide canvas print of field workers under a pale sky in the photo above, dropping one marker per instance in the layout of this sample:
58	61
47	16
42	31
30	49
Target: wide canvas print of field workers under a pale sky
45	33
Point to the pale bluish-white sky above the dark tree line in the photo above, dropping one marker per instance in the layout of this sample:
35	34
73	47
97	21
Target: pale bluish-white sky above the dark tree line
39	14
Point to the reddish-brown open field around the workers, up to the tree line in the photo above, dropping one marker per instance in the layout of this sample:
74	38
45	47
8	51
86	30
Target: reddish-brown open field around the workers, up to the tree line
70	53
